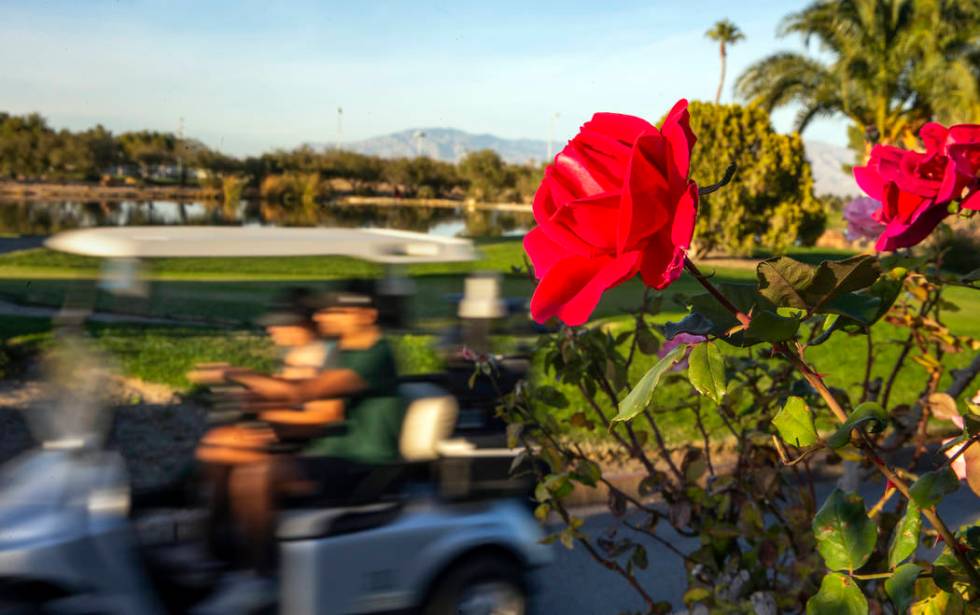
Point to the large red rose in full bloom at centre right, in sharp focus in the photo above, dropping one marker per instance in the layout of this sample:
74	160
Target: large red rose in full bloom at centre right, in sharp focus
616	201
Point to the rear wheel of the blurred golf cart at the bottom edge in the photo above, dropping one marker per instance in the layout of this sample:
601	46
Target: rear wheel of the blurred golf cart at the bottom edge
485	585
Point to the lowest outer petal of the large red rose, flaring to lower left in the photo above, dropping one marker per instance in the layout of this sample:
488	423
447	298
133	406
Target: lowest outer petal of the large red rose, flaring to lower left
572	288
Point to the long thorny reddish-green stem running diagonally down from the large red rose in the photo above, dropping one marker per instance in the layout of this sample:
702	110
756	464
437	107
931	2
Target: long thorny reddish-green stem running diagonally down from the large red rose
816	381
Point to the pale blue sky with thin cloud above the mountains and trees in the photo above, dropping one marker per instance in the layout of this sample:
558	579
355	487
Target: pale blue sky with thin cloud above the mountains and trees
247	76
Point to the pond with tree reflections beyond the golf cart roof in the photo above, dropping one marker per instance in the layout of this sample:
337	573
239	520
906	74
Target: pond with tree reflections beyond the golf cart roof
45	218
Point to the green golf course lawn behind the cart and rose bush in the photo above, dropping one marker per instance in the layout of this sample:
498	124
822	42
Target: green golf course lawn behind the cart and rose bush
232	292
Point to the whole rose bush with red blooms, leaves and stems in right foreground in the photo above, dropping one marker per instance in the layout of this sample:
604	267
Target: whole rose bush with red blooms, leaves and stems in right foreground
618	201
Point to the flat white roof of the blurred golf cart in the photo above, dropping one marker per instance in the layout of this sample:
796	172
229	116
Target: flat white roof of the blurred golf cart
377	245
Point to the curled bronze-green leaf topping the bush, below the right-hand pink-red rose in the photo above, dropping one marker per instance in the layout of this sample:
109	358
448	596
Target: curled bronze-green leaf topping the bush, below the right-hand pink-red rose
826	288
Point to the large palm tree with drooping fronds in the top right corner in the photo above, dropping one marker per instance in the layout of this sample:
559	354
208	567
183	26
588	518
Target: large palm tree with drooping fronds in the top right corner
892	65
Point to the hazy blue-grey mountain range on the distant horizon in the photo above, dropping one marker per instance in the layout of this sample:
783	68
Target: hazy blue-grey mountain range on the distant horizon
450	145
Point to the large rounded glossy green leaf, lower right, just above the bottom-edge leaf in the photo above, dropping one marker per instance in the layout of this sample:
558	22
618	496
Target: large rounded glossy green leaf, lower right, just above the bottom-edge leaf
845	535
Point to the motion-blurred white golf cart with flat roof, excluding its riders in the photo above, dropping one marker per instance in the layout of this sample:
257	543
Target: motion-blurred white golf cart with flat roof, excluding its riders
444	537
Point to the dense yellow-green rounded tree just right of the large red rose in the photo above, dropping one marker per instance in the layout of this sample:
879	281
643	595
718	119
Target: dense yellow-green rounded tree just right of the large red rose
771	201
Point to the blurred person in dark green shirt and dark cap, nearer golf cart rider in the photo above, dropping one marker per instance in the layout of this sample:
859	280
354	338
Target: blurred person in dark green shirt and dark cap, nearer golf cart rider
329	467
